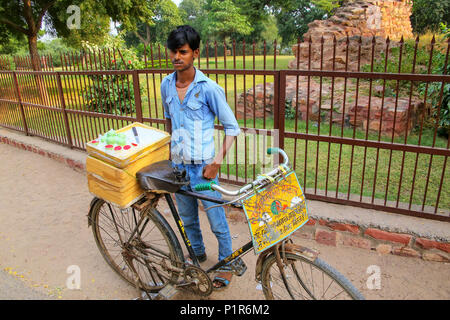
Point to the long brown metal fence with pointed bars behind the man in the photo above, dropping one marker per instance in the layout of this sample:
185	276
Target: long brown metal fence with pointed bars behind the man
348	113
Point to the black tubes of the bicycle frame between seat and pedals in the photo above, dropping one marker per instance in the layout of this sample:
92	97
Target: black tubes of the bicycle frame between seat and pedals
239	252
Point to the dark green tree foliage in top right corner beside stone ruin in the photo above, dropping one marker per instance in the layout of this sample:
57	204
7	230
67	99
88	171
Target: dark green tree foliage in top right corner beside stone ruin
428	14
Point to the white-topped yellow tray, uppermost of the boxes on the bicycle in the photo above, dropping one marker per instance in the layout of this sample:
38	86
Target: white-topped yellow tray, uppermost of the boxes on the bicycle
150	140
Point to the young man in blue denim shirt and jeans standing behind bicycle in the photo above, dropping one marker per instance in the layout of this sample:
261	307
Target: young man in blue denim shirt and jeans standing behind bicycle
191	102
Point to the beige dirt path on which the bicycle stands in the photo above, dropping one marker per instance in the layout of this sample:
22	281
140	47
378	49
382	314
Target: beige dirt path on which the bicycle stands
44	231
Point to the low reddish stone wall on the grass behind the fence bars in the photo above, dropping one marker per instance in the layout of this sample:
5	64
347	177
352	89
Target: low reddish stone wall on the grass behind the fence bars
387	115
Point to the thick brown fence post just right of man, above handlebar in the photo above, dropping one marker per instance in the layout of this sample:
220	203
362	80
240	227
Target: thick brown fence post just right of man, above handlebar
279	106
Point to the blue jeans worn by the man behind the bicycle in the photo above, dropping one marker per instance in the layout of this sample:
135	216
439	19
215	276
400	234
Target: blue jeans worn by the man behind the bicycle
188	210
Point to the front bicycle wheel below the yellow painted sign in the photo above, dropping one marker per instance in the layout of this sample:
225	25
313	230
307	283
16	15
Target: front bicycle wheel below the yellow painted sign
299	284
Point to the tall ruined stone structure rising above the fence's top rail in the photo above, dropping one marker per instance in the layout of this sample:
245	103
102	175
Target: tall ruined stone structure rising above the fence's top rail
363	22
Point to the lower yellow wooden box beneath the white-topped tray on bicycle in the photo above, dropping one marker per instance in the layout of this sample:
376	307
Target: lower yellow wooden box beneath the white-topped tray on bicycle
116	185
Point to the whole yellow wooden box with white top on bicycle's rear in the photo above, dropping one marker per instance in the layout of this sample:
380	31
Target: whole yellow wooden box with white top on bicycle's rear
112	175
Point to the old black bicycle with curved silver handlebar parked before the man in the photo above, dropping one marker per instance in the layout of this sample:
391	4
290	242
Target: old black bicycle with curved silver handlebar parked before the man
141	246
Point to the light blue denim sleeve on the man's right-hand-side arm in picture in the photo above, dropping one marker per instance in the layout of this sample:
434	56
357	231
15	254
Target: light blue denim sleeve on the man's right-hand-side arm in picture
219	105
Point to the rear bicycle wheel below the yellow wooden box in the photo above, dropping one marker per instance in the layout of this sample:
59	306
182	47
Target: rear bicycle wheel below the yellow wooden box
111	233
